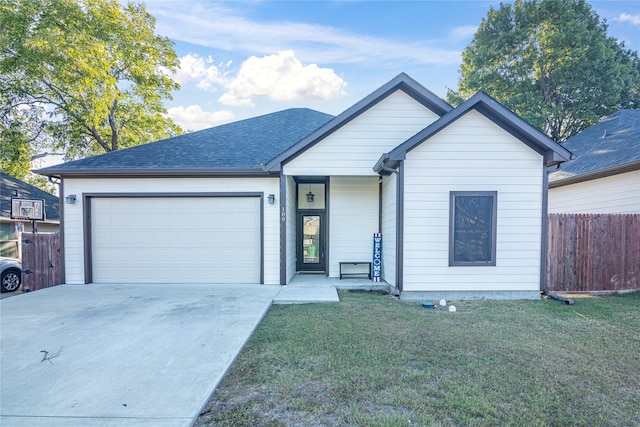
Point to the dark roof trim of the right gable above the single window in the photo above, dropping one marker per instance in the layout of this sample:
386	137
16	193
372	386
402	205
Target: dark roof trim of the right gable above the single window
554	153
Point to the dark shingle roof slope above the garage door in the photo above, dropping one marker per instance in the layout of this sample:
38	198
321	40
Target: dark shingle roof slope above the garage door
241	147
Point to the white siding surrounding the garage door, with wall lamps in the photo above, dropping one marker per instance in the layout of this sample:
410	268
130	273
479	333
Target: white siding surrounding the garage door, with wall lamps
73	224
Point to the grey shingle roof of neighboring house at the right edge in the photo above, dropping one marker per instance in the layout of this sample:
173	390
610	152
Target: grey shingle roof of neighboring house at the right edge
609	147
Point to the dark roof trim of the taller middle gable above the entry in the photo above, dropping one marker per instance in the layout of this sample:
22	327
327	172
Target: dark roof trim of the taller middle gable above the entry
400	82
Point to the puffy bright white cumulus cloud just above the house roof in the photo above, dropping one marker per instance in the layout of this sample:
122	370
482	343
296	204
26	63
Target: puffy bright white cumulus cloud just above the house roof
281	77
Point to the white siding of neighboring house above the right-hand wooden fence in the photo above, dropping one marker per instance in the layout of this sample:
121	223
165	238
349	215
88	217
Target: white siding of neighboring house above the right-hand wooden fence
617	194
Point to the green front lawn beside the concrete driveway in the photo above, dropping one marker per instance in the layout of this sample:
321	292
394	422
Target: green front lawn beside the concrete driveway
371	360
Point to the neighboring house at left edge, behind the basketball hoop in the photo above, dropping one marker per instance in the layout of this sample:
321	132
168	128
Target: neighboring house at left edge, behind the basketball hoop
12	188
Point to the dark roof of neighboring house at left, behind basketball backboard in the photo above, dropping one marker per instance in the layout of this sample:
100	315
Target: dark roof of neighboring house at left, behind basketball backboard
14	188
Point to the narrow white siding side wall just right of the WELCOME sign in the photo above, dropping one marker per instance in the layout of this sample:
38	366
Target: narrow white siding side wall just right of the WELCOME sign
389	191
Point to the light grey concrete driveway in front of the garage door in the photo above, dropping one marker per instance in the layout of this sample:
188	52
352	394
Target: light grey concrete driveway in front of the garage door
121	355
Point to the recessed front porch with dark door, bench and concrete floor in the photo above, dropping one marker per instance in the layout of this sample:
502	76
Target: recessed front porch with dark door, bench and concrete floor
329	221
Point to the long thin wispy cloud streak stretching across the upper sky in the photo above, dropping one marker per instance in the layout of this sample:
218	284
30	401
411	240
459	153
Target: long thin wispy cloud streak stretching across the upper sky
218	25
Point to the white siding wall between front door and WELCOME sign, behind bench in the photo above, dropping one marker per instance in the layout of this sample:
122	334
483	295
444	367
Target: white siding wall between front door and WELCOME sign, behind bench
353	210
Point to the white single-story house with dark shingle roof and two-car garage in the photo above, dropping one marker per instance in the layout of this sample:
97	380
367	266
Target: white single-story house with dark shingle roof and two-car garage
458	194
